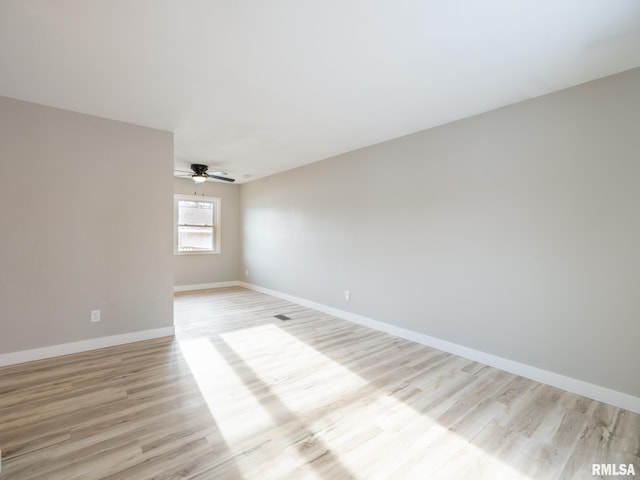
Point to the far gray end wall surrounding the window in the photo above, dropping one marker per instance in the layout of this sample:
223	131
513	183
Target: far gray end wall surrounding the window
222	267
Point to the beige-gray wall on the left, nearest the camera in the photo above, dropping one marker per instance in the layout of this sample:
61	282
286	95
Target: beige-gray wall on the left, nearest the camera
85	223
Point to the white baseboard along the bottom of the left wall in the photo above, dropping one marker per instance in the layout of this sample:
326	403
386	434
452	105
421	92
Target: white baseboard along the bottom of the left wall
82	346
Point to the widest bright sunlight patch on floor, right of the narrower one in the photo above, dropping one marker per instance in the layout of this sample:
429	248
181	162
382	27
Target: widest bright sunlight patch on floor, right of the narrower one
361	423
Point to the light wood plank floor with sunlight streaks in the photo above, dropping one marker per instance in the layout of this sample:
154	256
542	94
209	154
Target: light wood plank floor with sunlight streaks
239	394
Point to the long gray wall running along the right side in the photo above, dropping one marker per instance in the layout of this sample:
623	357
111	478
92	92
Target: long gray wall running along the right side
515	232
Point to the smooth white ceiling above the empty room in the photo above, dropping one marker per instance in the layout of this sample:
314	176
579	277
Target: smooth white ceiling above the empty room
255	87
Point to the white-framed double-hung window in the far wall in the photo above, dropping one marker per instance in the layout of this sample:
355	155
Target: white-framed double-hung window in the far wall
197	225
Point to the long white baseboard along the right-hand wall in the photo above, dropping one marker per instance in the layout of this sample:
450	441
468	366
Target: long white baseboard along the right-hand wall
580	387
